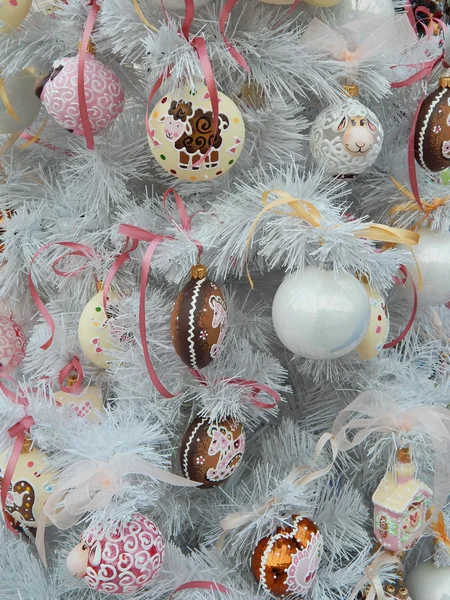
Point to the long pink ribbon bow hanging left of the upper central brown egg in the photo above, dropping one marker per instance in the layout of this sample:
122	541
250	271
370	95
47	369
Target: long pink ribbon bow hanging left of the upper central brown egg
137	234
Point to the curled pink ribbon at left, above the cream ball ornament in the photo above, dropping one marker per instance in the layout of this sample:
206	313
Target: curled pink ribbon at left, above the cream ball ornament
77	250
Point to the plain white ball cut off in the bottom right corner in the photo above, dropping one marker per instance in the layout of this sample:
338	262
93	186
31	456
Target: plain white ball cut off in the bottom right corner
428	582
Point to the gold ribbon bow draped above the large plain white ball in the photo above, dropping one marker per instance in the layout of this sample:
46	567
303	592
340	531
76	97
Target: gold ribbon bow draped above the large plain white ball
304	210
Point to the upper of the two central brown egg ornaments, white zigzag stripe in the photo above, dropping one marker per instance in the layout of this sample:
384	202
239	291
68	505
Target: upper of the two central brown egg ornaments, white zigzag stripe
199	320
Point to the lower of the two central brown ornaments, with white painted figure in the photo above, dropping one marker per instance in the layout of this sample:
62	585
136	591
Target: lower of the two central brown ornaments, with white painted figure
211	451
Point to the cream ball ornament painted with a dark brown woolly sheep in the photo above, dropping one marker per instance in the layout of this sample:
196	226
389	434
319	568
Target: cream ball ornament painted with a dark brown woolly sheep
181	127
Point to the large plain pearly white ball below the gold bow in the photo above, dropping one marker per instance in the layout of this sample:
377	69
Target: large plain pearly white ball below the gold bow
320	316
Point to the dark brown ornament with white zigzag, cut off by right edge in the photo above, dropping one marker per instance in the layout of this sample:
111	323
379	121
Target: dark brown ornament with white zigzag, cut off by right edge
432	133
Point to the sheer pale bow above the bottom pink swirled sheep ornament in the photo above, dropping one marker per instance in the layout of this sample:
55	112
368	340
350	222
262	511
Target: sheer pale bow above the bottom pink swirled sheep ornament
91	485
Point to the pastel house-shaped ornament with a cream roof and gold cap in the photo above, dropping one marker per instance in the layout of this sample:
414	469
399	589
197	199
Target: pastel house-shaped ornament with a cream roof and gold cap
400	503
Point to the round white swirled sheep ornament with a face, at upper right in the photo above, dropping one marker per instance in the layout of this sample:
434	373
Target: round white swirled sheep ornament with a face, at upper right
346	138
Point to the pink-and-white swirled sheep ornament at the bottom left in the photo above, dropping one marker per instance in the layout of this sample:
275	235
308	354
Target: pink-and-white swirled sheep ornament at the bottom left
121	559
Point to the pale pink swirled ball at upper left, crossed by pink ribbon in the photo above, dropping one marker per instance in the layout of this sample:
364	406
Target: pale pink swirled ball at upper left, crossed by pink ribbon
105	97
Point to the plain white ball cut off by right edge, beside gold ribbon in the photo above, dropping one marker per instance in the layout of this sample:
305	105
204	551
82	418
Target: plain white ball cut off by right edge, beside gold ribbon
433	257
